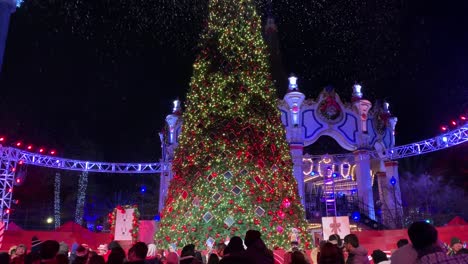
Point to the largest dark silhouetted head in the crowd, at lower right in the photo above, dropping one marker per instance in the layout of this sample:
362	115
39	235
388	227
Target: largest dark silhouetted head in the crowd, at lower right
422	235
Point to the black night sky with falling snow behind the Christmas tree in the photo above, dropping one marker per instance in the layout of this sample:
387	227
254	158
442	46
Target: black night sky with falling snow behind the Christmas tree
95	79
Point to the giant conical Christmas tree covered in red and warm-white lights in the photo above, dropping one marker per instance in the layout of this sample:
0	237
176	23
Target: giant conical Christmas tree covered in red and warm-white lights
232	168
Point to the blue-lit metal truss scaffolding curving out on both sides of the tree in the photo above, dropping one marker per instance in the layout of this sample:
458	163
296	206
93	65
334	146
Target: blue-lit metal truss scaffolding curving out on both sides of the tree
9	157
